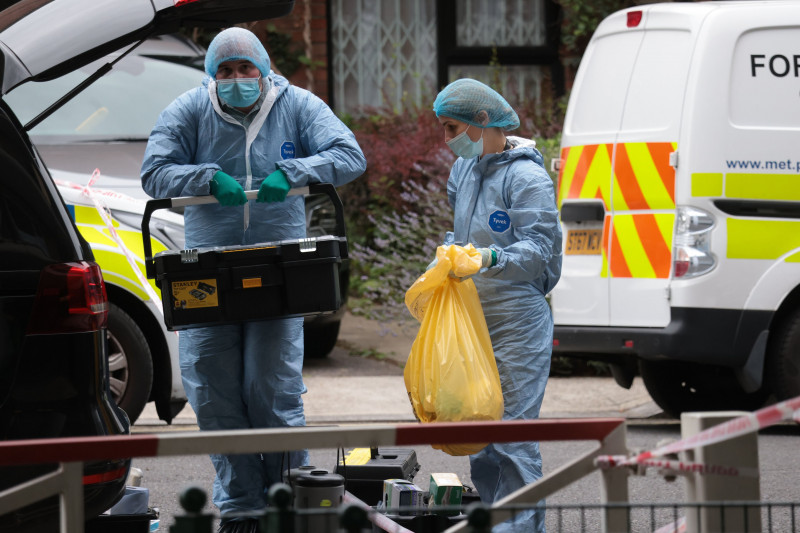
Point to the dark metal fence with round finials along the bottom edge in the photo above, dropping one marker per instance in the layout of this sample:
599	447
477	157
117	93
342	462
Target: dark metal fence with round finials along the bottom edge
731	517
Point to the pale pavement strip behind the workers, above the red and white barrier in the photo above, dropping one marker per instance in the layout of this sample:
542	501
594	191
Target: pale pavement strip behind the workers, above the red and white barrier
349	387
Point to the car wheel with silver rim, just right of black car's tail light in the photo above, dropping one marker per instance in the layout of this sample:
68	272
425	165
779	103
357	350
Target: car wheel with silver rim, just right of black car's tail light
130	365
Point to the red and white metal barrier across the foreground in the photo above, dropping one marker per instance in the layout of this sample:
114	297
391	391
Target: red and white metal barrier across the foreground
71	452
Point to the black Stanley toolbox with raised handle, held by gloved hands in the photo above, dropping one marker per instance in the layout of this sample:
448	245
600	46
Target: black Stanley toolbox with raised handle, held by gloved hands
232	284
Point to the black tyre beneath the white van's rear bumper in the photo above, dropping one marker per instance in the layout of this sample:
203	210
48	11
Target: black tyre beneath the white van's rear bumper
678	387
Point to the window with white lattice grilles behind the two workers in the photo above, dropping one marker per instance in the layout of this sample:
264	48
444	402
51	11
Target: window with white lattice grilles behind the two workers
394	54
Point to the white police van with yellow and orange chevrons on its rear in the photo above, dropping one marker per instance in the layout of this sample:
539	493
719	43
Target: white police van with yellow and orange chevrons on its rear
679	193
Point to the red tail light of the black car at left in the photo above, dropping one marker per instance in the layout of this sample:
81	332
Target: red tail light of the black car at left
71	298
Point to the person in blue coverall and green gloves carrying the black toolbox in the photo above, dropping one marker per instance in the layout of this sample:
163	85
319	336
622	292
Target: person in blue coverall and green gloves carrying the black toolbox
246	128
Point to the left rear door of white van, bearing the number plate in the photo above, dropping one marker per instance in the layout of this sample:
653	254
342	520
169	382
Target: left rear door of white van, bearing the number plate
593	120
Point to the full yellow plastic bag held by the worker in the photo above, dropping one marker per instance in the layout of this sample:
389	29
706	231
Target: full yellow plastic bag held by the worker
451	374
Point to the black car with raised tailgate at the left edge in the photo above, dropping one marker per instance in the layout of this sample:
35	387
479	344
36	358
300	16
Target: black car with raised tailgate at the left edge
54	379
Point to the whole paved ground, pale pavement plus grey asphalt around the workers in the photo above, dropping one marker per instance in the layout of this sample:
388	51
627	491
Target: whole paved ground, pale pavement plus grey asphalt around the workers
347	388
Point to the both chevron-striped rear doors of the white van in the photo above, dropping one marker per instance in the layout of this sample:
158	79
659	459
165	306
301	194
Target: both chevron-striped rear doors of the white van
621	128
